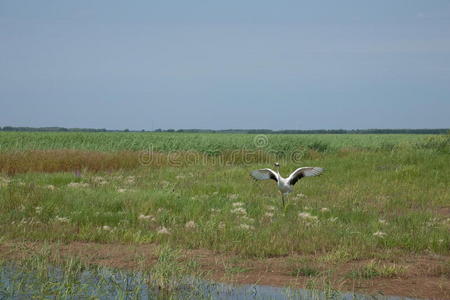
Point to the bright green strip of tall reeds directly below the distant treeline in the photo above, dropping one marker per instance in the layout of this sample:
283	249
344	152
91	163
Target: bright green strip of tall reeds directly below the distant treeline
203	142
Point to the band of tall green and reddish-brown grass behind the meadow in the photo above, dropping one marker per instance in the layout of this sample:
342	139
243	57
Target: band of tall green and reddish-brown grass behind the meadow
52	152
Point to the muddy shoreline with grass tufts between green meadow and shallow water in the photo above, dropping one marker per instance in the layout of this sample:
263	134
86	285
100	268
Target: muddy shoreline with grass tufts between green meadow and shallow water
416	276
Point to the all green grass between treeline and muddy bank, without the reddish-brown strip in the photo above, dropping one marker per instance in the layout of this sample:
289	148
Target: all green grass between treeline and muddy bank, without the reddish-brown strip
378	199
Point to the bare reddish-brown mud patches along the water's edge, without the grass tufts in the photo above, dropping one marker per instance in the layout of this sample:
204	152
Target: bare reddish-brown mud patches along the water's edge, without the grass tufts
422	276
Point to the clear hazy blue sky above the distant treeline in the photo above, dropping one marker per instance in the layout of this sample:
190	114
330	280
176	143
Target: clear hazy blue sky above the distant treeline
225	64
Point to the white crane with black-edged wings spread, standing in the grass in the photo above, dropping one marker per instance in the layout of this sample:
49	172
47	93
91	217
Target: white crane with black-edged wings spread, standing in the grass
286	185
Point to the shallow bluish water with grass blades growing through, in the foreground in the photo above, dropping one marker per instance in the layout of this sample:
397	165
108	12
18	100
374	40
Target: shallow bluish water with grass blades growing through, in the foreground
103	283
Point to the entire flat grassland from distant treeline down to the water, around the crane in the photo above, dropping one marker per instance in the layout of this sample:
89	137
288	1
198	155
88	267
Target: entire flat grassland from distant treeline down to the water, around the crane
377	219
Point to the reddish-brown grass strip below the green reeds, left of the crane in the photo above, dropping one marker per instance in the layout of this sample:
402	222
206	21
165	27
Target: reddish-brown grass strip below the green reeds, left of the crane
75	160
